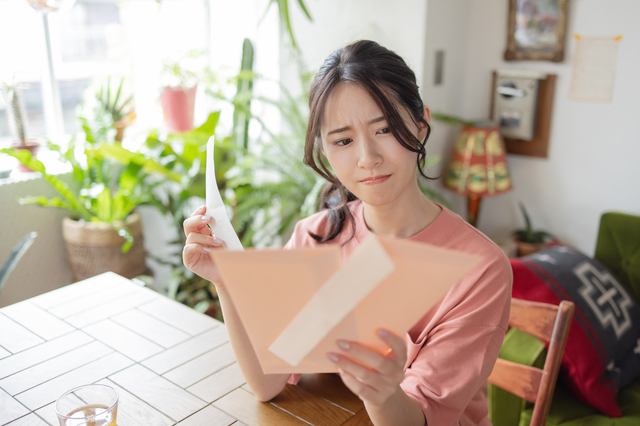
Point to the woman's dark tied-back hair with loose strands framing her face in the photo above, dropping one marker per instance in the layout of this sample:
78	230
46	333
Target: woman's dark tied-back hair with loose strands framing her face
391	84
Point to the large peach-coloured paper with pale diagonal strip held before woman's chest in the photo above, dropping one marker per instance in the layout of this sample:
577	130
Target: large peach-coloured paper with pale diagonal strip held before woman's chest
295	304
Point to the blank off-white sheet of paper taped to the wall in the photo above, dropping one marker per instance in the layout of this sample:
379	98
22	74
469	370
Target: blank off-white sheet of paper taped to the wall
594	68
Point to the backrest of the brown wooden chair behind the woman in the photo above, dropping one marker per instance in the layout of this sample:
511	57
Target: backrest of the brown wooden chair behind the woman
549	323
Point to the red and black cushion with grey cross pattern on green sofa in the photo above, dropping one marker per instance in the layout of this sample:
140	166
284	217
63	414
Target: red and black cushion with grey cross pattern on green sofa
603	348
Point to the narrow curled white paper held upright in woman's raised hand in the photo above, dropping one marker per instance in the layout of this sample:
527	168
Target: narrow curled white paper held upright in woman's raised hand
220	224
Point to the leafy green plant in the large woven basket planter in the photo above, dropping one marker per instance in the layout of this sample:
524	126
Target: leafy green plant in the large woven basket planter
104	232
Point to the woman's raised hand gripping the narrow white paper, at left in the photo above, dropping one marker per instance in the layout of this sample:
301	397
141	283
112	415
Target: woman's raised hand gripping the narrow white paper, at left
200	241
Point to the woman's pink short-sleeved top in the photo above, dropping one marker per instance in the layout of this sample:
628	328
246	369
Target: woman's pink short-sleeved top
452	349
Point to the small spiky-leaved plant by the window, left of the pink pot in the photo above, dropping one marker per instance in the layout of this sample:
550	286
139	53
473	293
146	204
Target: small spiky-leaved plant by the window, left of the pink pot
118	105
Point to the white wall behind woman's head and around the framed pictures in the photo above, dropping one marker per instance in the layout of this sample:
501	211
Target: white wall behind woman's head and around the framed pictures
593	149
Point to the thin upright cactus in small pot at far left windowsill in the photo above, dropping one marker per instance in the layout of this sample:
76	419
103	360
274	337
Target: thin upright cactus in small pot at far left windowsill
17	122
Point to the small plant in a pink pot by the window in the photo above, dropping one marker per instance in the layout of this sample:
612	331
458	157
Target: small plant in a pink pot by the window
180	79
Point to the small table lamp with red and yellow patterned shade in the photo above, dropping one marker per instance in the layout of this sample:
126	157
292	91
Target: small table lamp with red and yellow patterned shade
478	166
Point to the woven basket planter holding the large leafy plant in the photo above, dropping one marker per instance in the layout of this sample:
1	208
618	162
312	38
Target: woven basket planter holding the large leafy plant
95	248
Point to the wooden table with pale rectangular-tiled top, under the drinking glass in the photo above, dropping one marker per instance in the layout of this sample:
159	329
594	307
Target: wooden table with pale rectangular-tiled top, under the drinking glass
169	363
